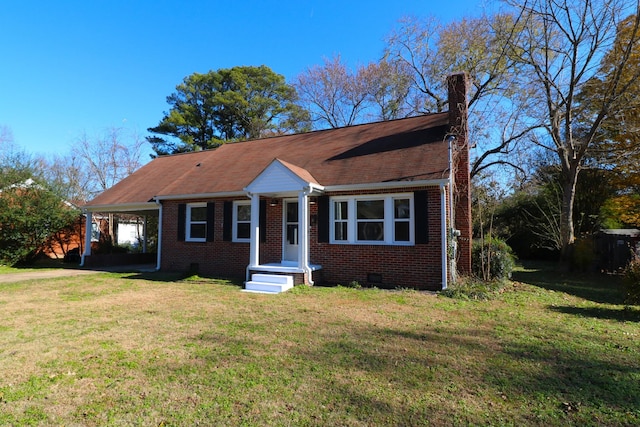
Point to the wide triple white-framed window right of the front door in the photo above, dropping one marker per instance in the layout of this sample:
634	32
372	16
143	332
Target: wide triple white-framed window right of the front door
385	219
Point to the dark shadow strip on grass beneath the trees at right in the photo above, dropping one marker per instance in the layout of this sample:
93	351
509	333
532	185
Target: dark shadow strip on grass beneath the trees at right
591	286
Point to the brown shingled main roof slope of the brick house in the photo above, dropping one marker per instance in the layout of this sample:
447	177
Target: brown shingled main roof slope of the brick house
412	149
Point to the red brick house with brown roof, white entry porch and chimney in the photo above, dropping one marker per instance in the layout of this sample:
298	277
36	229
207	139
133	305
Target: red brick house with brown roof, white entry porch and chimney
366	203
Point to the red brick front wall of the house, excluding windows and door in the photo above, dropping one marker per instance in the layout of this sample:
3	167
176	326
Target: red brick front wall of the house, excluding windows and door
417	266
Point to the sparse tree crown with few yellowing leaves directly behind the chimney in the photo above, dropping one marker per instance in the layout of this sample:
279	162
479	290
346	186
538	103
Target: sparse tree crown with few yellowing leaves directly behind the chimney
430	51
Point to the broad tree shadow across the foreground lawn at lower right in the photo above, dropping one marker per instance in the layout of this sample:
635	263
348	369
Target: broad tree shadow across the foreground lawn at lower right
521	370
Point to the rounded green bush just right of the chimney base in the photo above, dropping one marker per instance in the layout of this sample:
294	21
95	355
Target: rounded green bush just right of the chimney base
492	259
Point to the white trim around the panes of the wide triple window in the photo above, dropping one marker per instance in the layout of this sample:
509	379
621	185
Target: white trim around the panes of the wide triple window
388	221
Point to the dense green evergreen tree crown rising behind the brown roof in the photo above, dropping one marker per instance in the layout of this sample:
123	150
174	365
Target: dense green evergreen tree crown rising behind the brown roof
238	103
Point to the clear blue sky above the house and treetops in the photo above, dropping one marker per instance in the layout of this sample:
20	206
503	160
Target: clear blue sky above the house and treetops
74	67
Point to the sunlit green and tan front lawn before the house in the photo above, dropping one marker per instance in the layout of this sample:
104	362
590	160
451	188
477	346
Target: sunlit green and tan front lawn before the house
117	349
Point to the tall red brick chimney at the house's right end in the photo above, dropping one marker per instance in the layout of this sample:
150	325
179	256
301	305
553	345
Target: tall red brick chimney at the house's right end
458	85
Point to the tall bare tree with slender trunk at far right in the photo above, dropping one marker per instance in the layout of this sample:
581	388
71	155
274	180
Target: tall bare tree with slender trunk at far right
558	48
